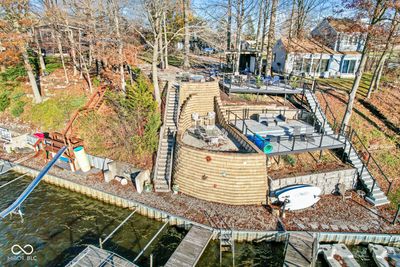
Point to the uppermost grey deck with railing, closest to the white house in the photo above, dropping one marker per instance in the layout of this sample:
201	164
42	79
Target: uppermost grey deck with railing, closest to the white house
270	89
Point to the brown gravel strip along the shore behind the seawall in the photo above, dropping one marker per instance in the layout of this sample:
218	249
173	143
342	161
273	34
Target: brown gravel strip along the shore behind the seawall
330	214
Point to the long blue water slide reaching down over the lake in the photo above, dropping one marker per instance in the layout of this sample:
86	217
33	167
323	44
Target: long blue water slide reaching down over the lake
32	185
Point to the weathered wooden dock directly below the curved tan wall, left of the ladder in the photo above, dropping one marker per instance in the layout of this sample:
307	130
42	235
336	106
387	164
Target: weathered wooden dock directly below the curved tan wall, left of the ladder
190	249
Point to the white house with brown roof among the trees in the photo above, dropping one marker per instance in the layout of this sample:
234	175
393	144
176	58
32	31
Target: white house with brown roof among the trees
337	43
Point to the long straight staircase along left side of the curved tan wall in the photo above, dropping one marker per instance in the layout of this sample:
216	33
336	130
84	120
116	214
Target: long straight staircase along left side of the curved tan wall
165	153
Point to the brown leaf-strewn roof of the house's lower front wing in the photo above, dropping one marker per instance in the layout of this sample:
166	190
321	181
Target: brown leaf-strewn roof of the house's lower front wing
306	45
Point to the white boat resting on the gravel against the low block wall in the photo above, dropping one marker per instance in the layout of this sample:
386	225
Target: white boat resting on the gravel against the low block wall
299	197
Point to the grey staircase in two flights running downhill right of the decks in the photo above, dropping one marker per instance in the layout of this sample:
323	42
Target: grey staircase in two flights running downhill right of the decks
375	195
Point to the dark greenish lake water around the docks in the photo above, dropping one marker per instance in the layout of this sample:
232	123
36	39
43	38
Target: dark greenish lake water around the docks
59	224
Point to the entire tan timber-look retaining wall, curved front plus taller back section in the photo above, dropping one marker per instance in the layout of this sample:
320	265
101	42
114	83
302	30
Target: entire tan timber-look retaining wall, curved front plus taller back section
225	177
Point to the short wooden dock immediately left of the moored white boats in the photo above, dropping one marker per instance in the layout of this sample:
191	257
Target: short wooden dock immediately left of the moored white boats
299	252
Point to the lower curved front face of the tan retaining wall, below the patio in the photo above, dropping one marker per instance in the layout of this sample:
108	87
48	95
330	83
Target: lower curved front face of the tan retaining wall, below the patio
230	178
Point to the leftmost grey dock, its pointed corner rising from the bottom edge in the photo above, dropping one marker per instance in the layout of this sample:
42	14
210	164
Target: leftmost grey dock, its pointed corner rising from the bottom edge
93	256
